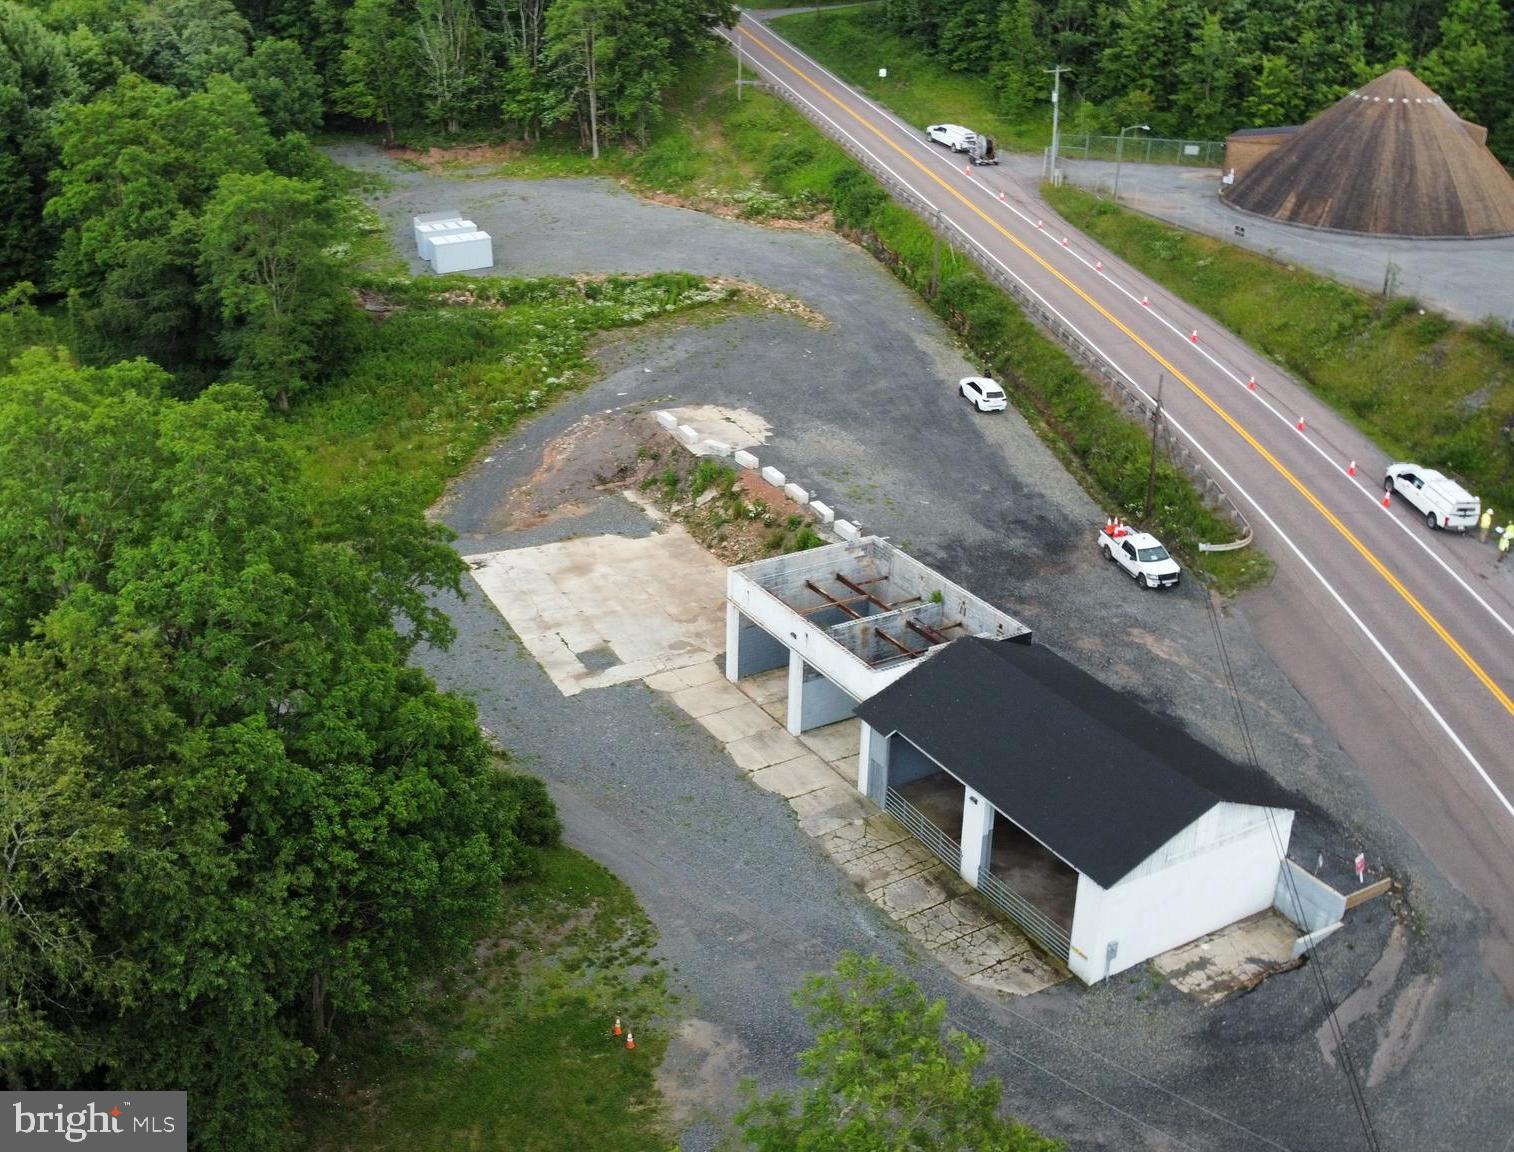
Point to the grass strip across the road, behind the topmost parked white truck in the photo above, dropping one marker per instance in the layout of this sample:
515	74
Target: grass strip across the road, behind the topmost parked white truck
855	43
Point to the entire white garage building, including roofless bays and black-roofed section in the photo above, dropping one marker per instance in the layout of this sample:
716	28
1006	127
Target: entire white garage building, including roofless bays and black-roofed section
1103	830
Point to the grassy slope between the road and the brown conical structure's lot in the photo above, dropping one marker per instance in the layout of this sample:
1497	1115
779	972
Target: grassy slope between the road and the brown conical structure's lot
1421	387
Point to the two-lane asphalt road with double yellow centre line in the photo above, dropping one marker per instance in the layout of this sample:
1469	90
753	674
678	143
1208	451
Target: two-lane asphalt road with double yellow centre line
1401	638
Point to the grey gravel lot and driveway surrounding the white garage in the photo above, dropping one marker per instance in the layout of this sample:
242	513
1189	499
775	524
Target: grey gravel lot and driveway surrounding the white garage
865	414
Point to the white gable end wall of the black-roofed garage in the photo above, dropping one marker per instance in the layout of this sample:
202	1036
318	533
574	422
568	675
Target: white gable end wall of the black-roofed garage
1220	870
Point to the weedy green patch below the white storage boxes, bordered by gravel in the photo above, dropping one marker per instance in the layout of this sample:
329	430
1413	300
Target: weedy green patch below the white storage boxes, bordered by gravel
459	361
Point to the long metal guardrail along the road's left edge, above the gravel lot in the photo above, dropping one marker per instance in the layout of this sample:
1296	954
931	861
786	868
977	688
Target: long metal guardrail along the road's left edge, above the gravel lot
1120	390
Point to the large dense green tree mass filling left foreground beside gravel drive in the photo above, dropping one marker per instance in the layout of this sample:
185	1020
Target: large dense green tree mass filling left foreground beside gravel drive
290	823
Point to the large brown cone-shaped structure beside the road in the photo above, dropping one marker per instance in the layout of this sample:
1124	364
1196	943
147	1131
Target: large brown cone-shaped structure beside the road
1391	160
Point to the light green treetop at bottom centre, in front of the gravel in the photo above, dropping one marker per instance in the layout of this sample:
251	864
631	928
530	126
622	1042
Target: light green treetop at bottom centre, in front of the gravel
885	1077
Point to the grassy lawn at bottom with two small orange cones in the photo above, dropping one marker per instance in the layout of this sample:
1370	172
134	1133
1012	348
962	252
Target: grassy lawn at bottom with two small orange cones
514	1051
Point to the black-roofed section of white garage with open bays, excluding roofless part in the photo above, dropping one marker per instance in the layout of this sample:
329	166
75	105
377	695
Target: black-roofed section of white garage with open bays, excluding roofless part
1106	832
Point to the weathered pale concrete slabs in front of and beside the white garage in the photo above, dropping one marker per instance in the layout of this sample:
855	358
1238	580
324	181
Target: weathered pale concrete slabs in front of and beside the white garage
611	609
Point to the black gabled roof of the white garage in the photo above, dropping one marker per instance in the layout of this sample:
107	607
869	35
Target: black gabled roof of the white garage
1085	770
